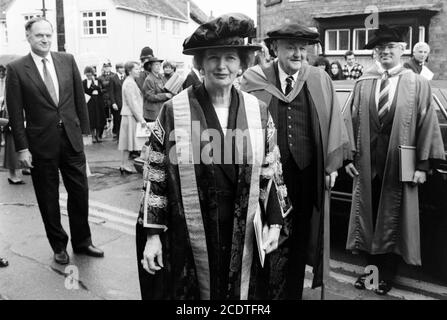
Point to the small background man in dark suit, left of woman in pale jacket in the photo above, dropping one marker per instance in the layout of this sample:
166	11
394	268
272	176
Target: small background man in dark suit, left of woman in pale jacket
116	88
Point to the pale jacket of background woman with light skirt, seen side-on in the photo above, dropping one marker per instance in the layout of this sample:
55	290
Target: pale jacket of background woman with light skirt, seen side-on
132	100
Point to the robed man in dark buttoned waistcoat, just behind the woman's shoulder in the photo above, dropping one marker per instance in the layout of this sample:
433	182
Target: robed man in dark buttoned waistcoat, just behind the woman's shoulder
312	140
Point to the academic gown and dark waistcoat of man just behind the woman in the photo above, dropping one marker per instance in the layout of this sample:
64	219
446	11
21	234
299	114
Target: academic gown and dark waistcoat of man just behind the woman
328	148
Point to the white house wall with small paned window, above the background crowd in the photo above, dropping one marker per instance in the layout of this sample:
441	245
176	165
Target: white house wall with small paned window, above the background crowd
127	35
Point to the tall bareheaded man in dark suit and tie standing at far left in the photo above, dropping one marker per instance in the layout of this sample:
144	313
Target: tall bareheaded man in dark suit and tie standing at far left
46	88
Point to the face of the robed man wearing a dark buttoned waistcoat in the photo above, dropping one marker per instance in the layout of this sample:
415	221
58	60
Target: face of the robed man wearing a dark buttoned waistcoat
291	54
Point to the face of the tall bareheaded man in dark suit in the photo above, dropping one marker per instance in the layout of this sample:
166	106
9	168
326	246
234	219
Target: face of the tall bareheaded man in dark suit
40	38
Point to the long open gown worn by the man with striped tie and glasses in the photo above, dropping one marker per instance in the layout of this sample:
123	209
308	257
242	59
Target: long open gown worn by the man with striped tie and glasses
390	223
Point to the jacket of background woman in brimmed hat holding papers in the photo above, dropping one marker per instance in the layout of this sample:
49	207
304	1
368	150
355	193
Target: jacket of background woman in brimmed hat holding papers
154	96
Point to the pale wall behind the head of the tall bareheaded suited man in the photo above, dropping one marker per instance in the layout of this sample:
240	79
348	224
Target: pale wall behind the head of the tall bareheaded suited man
15	19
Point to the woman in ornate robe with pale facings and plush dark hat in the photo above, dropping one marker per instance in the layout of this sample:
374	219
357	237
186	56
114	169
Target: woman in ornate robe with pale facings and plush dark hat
211	167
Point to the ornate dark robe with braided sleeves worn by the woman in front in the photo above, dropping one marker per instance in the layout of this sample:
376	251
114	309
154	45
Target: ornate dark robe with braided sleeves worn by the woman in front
218	268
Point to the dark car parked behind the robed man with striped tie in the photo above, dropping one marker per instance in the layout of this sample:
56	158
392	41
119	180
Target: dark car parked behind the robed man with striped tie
432	194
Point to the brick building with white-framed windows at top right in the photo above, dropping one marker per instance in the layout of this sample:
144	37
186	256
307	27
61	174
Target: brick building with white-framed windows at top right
344	25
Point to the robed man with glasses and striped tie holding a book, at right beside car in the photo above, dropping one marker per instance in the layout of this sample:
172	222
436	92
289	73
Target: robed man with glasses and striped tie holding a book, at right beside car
393	119
